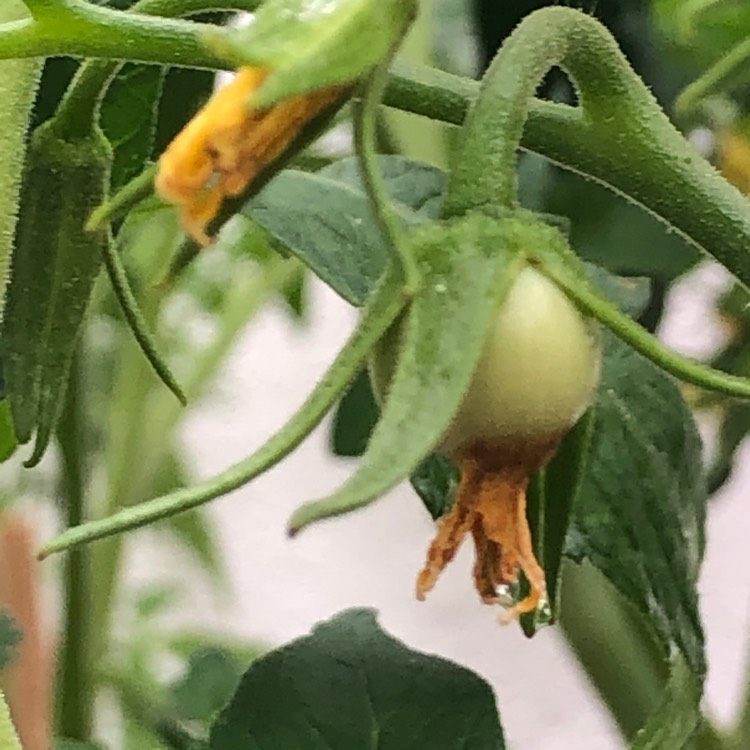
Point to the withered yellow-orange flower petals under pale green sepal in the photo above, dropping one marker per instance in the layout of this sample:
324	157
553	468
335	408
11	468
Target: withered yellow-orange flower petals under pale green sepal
224	148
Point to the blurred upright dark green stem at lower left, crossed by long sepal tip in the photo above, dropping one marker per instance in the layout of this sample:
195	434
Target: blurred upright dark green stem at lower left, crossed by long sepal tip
75	692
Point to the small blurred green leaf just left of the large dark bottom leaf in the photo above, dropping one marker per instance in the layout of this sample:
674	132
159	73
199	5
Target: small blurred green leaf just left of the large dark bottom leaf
212	678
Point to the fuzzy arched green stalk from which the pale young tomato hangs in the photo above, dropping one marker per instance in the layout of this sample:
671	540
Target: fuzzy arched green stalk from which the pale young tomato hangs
607	87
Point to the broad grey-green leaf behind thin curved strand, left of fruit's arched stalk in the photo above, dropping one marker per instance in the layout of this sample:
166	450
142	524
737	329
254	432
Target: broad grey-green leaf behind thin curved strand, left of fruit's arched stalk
325	219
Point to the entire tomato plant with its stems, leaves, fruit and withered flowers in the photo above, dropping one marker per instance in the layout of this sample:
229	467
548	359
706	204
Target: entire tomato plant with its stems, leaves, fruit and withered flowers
505	360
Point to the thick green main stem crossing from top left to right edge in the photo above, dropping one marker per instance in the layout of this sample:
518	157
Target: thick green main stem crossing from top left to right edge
635	150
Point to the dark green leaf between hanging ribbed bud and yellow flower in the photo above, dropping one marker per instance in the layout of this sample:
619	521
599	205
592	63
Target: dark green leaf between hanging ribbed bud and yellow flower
128	118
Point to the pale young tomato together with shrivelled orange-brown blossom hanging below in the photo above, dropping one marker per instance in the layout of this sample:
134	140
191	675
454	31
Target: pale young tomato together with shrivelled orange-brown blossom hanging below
535	377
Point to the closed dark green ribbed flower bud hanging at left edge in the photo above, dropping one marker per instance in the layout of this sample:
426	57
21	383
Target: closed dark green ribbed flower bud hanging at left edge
55	263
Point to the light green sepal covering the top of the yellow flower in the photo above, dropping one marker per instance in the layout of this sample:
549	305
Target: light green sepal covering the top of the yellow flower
311	44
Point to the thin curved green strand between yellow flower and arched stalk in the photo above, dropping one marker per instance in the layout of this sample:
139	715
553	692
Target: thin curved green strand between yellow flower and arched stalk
365	141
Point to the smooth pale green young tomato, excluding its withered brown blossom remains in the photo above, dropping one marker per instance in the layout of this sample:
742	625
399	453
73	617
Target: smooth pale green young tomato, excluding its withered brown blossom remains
535	377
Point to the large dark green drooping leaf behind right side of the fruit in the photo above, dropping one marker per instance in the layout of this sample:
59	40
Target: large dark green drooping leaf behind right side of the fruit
640	520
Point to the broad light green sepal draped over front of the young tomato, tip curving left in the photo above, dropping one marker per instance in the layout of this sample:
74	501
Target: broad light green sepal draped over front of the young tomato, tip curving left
468	265
